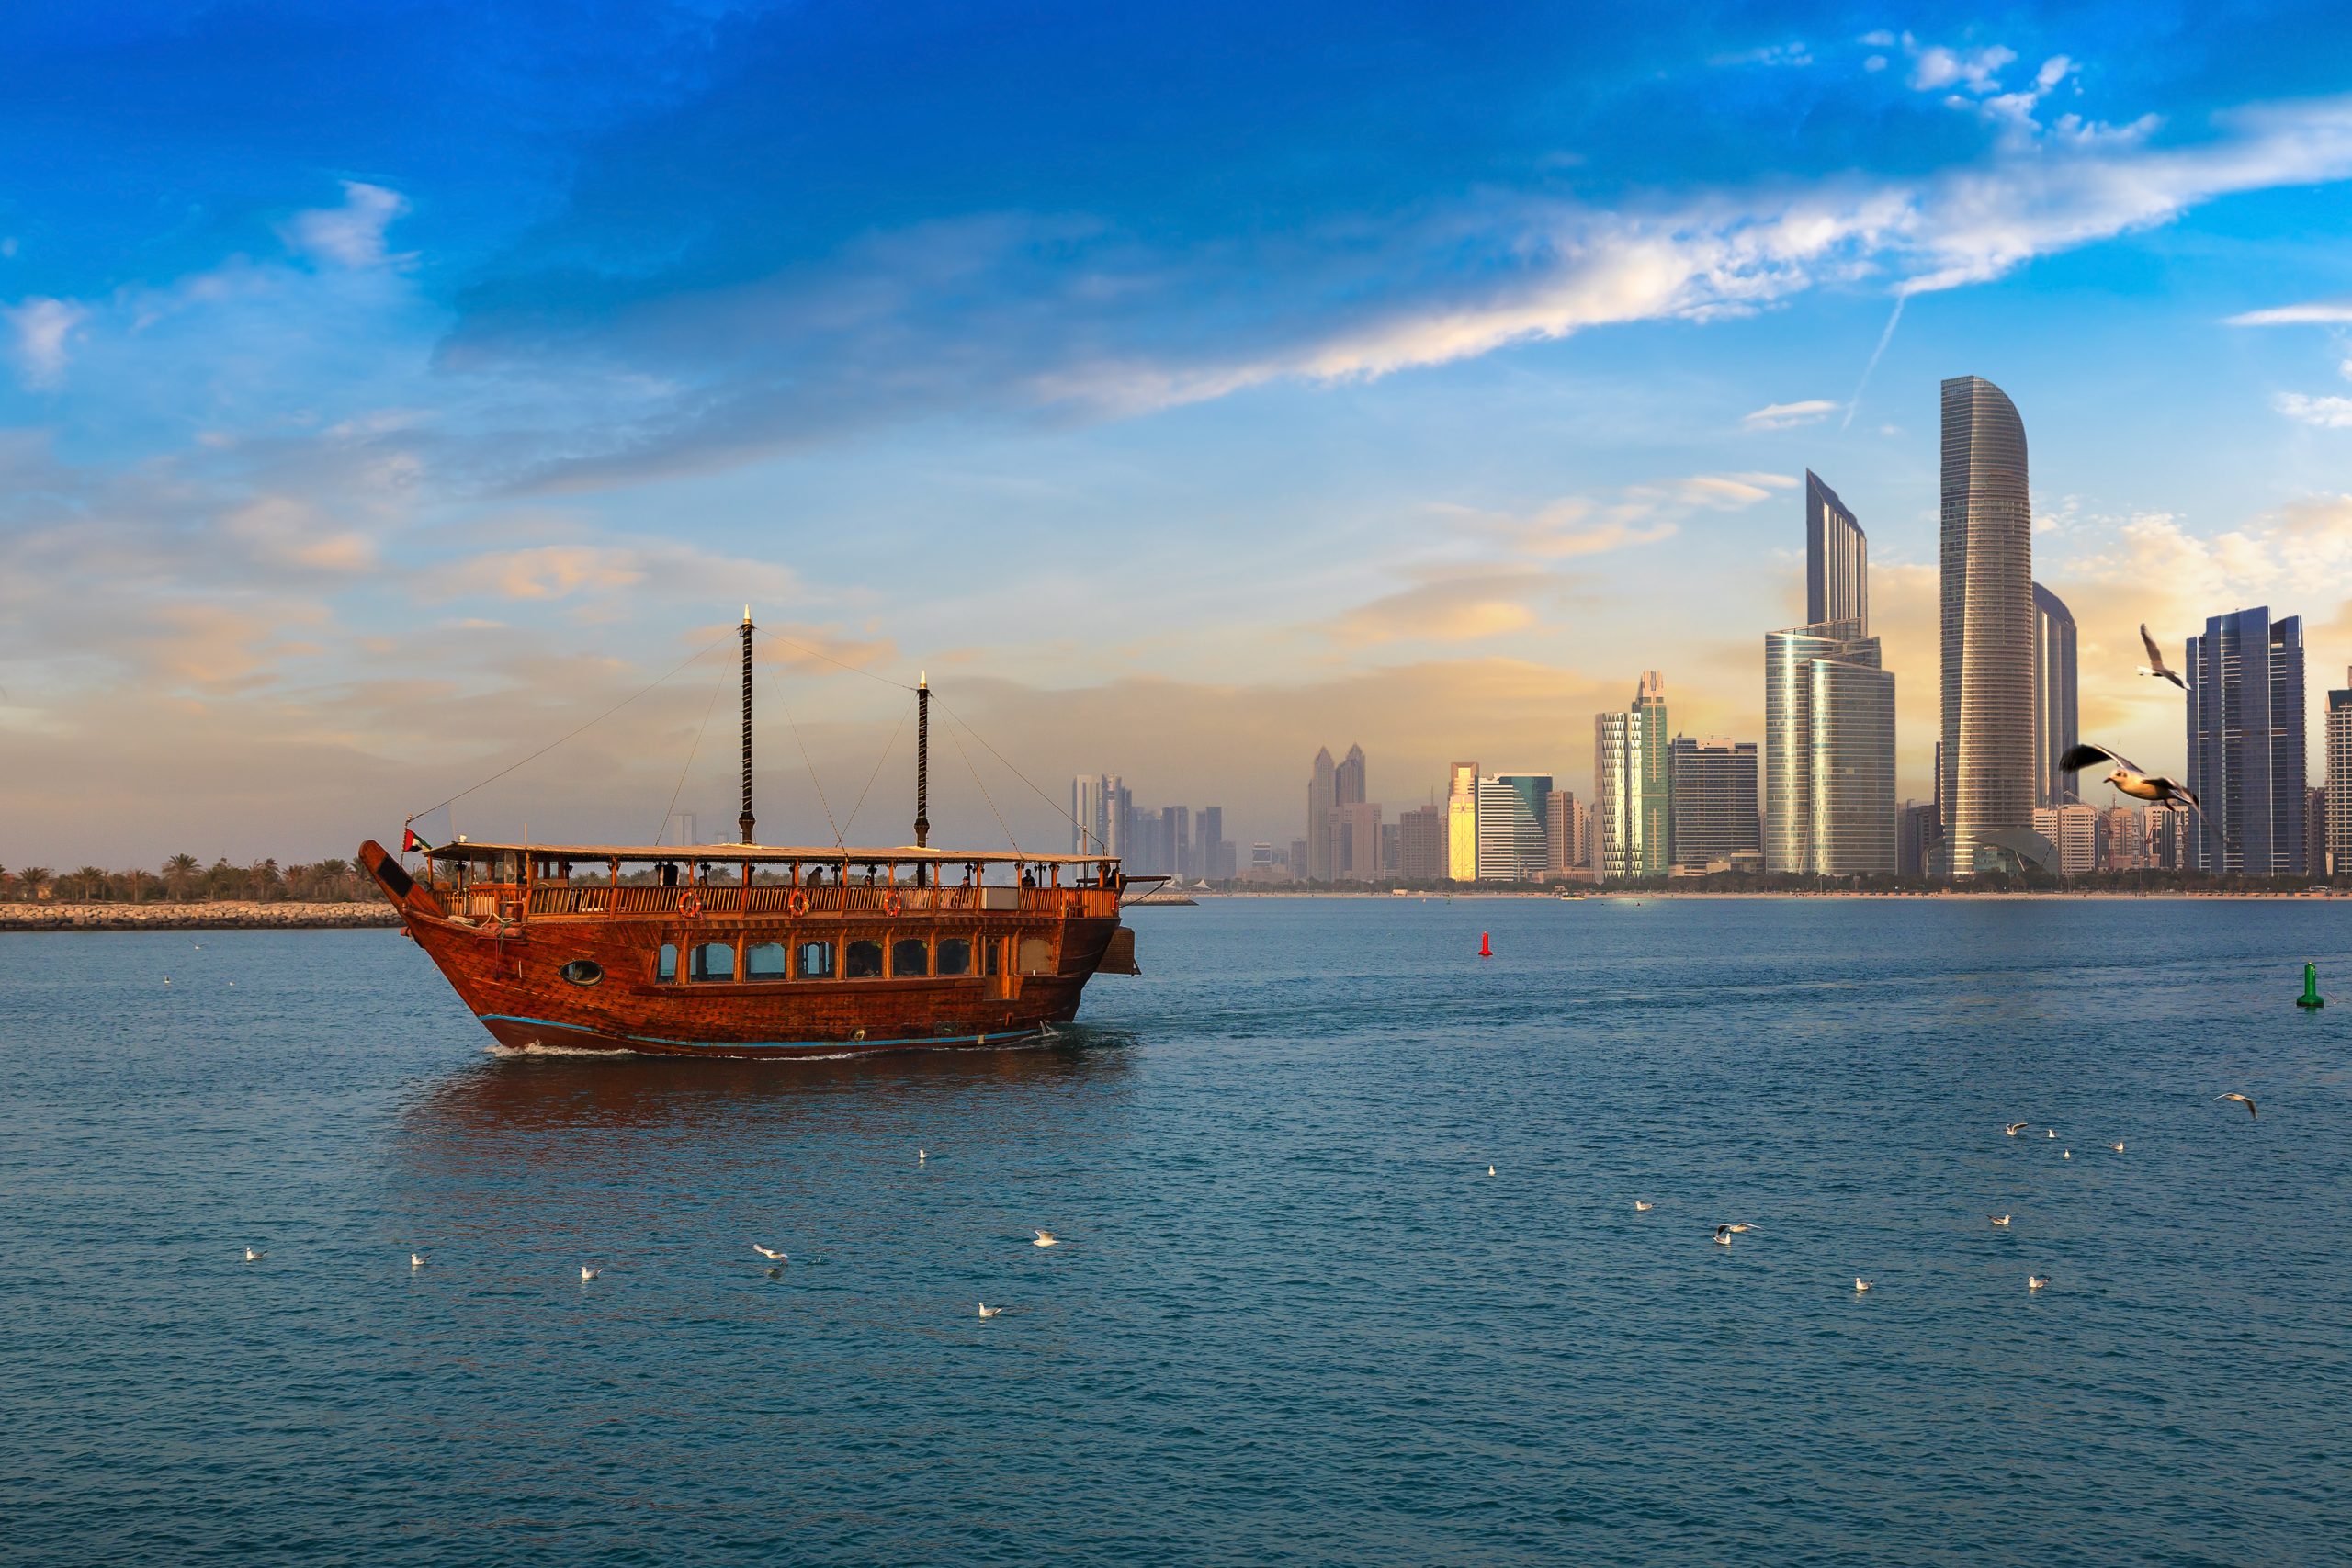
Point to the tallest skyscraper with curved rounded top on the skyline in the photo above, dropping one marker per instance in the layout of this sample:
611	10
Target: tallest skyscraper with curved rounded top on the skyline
1989	624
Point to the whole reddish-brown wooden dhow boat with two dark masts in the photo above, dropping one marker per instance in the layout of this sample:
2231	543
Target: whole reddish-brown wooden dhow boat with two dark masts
761	951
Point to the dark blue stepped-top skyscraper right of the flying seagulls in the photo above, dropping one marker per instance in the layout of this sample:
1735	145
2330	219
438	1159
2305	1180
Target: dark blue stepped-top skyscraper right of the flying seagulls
2247	744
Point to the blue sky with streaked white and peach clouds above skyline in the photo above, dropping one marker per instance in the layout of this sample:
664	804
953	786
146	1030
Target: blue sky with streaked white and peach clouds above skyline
396	387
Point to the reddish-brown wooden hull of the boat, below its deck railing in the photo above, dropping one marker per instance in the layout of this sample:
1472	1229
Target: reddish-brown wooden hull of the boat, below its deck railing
514	974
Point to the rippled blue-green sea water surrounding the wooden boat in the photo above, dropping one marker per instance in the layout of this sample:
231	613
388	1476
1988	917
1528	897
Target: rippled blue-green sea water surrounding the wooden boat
1292	1315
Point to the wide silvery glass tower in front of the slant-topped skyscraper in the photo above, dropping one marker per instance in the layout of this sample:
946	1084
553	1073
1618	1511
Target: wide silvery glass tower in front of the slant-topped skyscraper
1829	753
